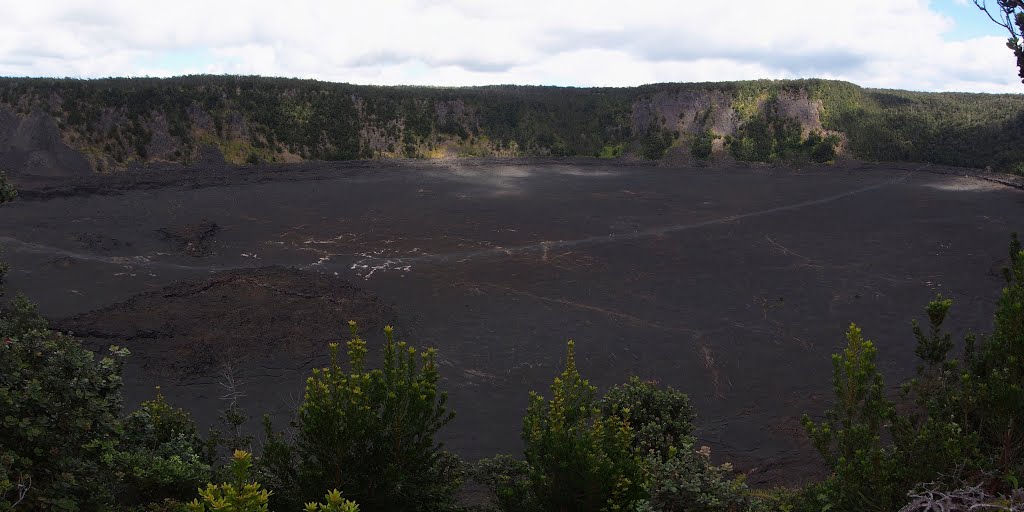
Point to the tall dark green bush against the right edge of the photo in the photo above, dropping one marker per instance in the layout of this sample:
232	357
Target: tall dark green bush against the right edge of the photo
967	425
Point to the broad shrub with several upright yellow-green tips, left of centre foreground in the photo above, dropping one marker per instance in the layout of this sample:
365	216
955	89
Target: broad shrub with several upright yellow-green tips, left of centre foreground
372	433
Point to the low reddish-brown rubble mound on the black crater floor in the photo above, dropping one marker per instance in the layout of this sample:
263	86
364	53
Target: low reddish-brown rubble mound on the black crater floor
237	315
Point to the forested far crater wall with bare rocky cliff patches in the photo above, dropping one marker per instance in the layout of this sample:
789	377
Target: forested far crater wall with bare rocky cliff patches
120	122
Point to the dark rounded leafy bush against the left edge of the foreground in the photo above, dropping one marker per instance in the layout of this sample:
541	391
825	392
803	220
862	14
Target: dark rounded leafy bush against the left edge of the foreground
60	424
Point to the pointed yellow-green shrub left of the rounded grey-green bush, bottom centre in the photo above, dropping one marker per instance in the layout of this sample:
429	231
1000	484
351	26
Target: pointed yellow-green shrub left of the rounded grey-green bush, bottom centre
579	459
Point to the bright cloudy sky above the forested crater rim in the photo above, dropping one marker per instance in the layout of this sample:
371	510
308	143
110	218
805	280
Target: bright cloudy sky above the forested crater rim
937	46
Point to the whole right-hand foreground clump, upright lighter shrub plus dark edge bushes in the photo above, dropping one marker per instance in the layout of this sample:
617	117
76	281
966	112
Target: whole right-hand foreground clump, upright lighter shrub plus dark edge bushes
962	423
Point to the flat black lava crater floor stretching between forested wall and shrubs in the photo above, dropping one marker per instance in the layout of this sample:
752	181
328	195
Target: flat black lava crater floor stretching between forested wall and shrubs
733	284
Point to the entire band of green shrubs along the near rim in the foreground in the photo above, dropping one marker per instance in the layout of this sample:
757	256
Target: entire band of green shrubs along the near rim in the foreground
365	439
